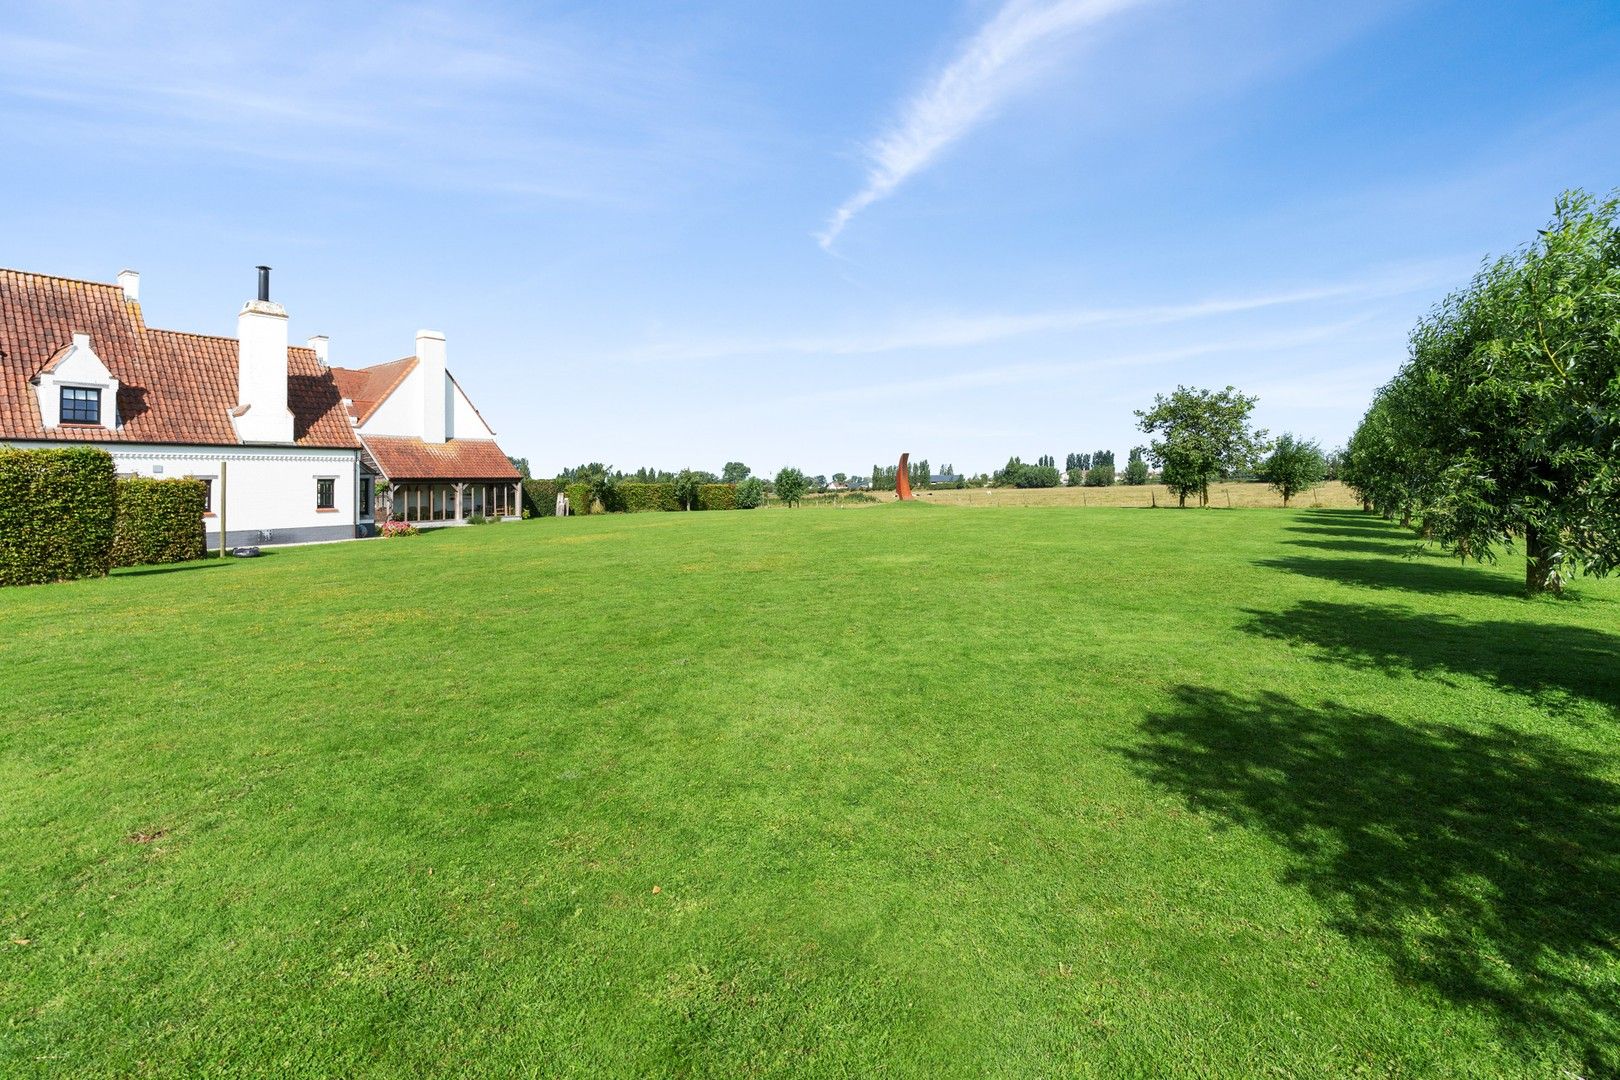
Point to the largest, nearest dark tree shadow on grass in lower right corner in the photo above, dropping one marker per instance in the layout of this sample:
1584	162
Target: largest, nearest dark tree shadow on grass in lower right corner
1485	865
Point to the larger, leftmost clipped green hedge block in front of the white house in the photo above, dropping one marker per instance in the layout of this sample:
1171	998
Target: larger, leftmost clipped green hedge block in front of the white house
58	512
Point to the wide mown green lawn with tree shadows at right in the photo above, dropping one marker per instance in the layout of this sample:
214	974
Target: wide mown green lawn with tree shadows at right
910	791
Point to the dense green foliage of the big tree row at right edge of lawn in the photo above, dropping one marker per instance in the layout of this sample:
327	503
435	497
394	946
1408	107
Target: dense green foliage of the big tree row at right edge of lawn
1506	420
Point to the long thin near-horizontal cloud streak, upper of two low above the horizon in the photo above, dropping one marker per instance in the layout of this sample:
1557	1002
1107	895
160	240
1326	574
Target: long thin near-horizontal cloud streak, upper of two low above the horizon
957	331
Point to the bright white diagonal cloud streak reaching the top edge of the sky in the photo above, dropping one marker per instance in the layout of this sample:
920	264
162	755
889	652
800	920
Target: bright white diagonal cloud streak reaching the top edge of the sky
1000	59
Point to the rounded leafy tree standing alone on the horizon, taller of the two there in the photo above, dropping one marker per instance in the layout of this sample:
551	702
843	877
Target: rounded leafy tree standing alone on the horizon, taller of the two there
1203	436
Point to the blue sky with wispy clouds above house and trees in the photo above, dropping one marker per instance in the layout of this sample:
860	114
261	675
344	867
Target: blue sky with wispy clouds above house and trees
819	234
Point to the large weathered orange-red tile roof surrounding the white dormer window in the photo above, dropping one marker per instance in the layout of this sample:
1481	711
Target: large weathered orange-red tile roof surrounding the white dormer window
174	388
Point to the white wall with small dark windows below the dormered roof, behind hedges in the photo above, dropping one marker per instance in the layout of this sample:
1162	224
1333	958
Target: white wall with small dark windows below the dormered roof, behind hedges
268	488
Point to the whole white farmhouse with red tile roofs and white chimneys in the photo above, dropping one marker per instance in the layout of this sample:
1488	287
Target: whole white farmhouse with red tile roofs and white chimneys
289	449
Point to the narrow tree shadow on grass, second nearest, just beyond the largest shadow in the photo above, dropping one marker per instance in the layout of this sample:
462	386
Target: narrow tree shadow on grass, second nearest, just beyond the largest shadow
1556	666
